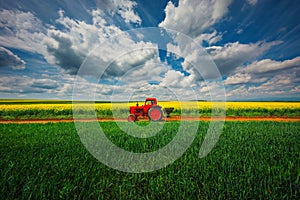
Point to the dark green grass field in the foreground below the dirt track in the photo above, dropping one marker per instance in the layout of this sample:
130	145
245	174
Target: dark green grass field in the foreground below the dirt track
252	160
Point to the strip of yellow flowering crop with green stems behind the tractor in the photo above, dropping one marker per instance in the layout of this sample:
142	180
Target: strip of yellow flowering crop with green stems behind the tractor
39	109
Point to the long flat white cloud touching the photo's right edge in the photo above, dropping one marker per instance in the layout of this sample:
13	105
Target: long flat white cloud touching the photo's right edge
268	65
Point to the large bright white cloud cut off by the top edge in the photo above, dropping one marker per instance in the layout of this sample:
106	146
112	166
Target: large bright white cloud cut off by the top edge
192	17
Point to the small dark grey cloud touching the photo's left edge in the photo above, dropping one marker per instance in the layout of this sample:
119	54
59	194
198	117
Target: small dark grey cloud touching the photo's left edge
8	59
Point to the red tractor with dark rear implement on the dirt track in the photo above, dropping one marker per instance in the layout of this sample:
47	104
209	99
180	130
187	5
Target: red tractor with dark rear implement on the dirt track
151	109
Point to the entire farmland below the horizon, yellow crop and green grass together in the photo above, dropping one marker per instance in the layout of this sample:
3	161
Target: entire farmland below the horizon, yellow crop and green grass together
252	159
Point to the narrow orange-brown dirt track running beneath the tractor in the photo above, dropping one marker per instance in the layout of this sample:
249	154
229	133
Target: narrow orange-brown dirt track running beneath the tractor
275	119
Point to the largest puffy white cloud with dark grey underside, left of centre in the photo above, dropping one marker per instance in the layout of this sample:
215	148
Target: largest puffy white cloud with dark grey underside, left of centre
70	46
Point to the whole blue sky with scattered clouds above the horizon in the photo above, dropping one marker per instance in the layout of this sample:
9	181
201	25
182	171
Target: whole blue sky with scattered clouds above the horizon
234	50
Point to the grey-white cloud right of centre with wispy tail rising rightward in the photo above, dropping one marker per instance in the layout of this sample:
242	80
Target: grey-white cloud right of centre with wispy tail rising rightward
227	58
